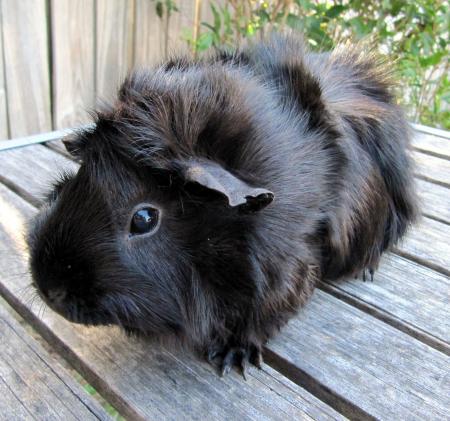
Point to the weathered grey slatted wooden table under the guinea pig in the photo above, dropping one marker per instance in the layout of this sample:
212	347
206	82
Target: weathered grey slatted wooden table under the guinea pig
358	350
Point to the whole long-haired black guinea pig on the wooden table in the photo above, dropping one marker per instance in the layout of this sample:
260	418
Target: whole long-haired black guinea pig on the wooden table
214	193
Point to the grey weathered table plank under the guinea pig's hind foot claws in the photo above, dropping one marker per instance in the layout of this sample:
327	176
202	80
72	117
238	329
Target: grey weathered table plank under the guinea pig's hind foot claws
408	294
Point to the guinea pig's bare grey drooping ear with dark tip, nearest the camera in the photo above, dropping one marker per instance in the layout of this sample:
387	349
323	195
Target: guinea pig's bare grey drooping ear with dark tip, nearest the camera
214	177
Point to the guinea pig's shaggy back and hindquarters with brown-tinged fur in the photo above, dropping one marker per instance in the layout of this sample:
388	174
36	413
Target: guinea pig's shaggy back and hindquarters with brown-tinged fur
352	143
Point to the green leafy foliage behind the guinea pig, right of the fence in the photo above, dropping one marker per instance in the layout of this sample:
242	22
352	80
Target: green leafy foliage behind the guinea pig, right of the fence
413	34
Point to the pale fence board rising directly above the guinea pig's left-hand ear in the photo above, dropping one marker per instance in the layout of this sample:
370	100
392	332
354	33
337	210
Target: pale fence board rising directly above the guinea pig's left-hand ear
73	61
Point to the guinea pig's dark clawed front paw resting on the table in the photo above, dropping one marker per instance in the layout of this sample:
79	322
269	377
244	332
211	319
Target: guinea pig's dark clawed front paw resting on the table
227	357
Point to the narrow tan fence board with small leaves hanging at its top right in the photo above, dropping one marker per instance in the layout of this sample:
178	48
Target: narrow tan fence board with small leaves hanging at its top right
148	34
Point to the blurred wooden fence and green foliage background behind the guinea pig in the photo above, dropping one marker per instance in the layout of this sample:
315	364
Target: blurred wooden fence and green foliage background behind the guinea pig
62	57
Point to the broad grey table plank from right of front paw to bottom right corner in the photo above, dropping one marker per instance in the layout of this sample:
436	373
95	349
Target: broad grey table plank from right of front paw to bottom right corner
360	359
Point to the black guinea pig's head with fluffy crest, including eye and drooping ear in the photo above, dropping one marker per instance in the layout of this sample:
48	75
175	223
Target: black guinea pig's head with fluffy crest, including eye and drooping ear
156	214
